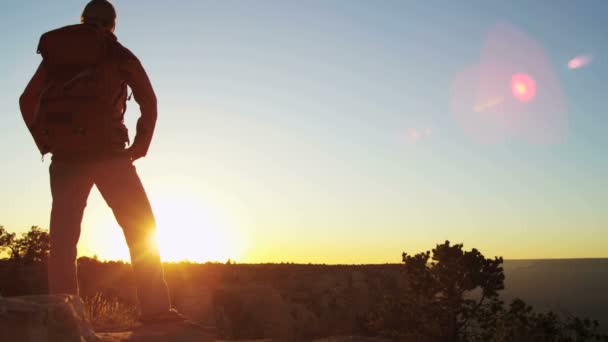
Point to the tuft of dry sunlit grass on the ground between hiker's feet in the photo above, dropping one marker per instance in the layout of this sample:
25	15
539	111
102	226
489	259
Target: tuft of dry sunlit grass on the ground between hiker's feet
110	313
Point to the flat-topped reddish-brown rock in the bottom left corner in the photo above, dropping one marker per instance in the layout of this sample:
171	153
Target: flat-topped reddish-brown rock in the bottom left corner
44	318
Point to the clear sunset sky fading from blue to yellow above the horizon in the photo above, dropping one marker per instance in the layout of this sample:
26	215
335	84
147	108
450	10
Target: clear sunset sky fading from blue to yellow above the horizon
335	131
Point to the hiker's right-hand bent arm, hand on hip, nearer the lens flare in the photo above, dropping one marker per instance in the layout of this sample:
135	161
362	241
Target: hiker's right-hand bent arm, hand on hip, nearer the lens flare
138	81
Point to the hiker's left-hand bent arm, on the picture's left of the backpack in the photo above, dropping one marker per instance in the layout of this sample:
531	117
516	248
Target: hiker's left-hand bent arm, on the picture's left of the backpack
29	101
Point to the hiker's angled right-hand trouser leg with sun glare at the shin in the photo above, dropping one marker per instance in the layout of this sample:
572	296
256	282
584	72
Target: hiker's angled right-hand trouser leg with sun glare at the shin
120	186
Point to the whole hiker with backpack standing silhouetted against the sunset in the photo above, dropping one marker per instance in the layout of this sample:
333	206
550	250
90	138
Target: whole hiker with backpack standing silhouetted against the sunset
74	107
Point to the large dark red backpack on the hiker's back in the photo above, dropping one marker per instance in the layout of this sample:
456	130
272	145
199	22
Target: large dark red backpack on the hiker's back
82	106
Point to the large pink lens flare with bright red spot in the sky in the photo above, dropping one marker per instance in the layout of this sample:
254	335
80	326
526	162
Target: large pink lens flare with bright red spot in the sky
513	93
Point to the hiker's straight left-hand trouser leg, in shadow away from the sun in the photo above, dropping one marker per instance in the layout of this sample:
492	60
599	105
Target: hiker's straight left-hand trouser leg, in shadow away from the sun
71	184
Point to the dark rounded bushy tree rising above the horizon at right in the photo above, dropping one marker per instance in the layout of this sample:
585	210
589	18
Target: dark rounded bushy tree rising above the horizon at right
457	287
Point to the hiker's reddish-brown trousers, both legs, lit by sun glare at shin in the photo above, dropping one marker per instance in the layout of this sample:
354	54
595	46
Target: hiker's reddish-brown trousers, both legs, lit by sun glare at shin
118	182
